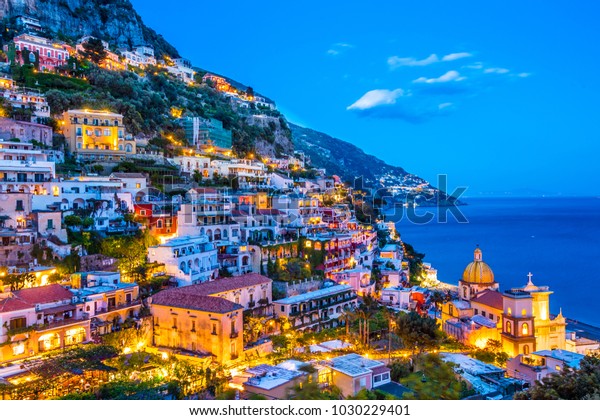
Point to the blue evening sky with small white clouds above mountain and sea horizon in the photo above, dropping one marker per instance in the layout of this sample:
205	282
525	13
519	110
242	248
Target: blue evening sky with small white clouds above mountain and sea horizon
501	96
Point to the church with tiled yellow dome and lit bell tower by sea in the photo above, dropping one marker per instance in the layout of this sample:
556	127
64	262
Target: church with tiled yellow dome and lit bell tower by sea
519	318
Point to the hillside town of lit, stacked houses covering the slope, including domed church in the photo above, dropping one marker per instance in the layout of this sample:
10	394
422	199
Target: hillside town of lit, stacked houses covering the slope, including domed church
203	272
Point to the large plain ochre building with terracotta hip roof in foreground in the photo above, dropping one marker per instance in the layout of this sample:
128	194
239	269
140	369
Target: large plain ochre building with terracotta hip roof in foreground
204	325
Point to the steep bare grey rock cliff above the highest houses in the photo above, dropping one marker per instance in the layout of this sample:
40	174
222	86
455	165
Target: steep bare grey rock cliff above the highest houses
115	21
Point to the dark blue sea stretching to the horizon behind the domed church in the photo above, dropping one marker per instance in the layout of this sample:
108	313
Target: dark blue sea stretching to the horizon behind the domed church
557	239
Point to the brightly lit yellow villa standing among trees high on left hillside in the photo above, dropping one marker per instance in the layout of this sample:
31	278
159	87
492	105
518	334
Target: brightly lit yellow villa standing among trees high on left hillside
97	135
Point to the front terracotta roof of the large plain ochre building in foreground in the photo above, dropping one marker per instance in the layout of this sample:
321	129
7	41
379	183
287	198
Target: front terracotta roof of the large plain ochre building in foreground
178	298
